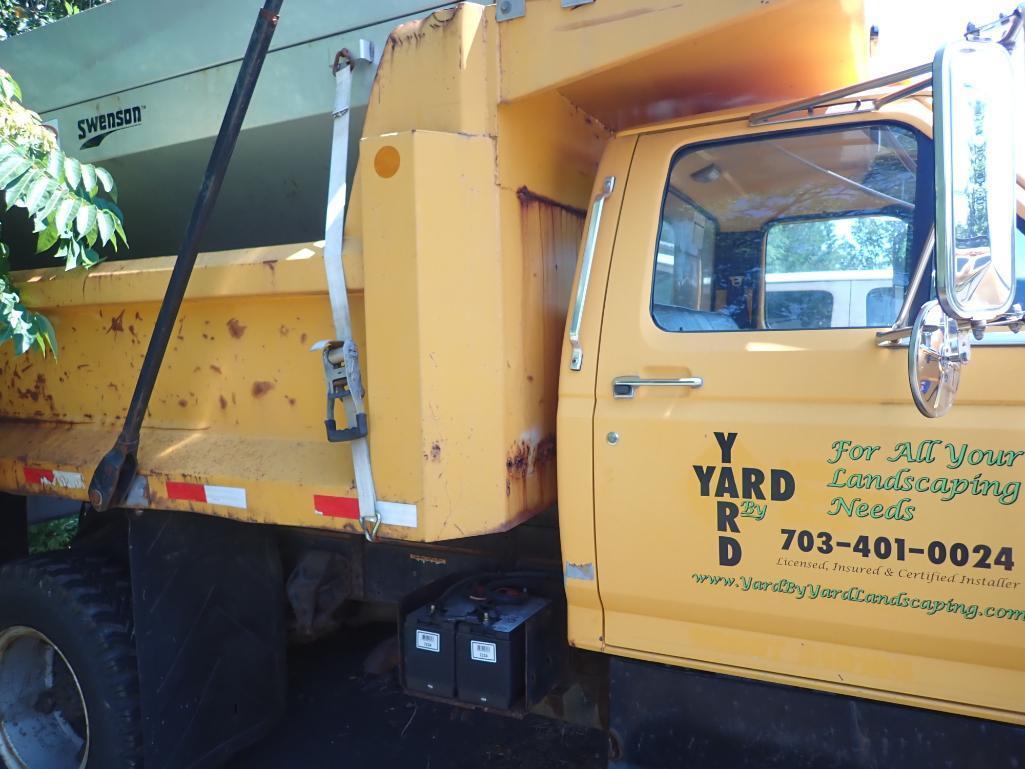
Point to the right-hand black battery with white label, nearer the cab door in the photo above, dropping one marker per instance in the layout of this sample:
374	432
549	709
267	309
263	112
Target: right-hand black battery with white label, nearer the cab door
491	647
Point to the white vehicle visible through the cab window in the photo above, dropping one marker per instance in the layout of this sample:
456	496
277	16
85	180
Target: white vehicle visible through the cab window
836	299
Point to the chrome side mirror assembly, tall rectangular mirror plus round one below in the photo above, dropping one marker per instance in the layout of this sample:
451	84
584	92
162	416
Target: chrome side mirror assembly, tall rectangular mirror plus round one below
974	136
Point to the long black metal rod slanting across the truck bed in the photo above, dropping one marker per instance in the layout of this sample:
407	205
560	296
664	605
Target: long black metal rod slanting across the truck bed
115	472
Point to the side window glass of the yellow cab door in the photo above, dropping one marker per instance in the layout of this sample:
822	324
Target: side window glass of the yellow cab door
799	231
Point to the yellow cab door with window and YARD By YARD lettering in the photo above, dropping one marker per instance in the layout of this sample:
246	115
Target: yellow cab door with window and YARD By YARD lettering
769	503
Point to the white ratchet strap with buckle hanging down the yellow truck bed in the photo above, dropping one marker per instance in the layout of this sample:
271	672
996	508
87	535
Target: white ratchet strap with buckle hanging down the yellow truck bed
343	355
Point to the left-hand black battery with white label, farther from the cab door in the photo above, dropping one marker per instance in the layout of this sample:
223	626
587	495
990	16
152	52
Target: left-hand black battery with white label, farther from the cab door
429	653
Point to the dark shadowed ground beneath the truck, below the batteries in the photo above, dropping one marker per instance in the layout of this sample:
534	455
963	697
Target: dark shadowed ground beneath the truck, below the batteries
341	717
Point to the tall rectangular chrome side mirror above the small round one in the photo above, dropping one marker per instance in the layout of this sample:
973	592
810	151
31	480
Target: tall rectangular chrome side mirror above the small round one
974	133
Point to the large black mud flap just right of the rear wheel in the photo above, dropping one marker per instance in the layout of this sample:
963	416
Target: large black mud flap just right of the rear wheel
209	598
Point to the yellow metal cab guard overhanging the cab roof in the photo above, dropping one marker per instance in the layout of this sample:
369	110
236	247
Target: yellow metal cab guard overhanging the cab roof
629	63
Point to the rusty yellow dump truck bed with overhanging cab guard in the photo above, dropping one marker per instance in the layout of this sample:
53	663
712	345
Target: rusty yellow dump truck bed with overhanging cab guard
462	241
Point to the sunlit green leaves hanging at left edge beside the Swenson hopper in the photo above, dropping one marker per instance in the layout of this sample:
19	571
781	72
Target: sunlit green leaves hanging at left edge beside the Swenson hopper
71	206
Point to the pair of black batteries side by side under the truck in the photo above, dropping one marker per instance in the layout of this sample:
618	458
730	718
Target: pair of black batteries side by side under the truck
491	655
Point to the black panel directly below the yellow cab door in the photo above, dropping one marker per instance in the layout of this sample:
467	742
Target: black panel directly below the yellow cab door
663	717
